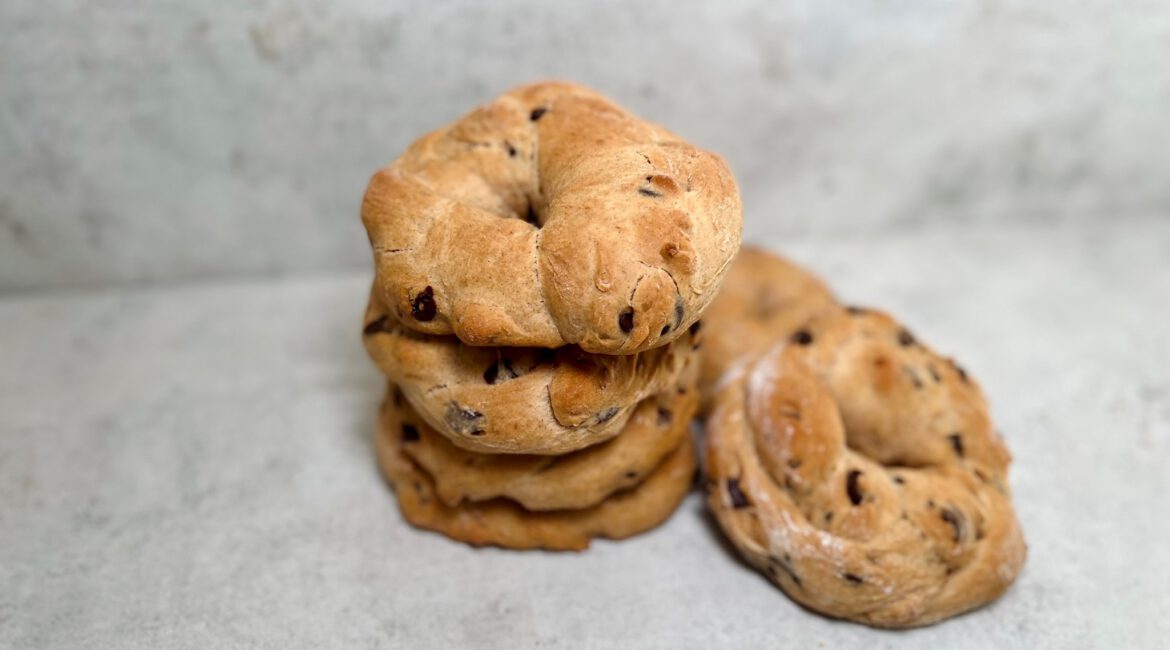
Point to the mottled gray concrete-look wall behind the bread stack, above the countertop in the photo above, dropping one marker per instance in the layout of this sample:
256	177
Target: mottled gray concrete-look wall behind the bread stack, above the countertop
154	142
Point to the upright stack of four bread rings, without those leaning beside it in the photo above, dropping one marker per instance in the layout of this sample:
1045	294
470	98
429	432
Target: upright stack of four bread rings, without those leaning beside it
541	268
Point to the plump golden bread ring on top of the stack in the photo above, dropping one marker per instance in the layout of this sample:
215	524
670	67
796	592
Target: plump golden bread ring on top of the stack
550	217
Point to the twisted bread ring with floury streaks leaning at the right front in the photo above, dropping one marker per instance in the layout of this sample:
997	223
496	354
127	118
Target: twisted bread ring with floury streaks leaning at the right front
859	471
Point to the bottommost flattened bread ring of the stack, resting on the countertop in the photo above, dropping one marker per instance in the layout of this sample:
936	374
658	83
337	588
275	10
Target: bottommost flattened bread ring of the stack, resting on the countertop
504	523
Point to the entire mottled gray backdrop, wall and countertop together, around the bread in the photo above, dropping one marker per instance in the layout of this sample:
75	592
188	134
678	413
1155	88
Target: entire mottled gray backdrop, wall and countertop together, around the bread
185	409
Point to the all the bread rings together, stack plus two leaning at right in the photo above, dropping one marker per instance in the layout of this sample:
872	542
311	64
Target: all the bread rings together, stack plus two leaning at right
541	269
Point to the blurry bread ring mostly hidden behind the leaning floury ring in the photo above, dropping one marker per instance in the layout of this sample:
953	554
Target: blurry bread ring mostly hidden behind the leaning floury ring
763	299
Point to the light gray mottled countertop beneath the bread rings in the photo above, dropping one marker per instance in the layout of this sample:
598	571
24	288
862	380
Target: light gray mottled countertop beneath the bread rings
190	467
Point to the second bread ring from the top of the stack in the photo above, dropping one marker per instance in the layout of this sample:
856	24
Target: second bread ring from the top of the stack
521	400
